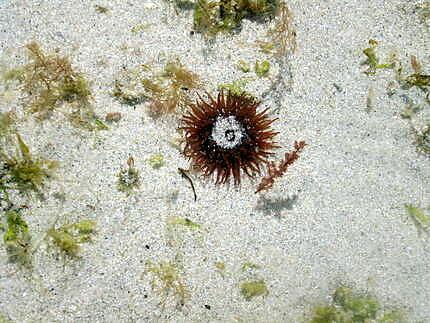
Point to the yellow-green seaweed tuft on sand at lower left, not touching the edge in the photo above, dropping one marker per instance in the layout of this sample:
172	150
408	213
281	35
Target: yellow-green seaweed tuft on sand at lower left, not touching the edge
68	237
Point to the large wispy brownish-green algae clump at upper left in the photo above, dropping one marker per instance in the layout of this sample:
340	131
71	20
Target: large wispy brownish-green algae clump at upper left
52	84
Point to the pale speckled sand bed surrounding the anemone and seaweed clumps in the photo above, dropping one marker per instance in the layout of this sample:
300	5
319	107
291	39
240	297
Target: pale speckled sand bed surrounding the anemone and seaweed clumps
346	225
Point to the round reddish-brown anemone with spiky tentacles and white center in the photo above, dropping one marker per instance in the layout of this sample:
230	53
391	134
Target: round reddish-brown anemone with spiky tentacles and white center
227	135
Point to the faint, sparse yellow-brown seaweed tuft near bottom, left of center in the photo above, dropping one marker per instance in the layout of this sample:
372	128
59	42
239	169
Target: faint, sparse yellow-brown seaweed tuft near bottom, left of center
167	281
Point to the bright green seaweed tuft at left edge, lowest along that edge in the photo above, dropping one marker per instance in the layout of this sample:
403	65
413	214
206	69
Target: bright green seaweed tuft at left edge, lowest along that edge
17	238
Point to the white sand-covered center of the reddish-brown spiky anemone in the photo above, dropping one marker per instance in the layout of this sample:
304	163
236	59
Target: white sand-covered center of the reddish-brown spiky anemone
227	132
